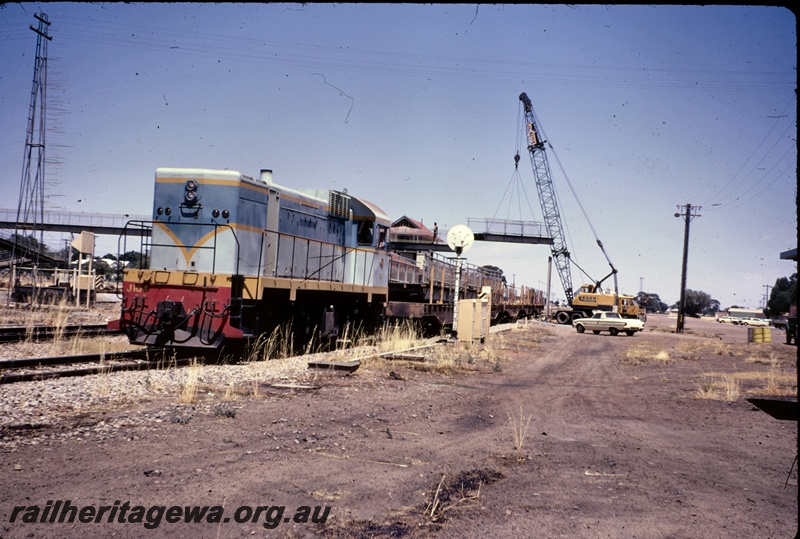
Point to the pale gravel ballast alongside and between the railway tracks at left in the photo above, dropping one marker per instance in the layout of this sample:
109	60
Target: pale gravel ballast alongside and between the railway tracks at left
32	405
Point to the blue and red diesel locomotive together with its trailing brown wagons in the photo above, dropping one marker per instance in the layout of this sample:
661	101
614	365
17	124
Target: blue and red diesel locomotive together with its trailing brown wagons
228	257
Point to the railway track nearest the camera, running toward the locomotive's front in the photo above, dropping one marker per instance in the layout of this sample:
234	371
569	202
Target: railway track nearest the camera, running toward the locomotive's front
45	368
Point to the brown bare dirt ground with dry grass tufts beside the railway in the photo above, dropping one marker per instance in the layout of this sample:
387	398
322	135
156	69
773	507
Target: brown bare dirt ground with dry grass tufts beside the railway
626	437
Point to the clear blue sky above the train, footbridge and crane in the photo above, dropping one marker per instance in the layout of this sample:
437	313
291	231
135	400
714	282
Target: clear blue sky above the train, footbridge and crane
415	108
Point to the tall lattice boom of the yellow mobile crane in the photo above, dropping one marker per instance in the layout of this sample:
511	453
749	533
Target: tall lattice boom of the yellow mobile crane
547	199
